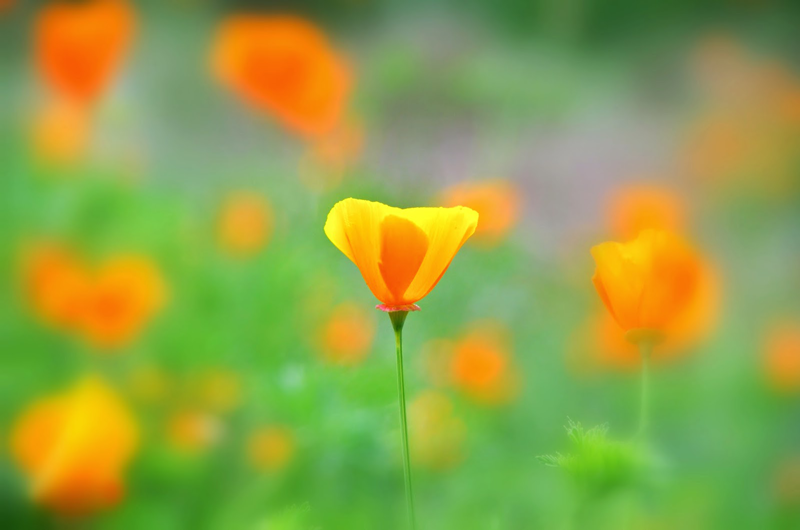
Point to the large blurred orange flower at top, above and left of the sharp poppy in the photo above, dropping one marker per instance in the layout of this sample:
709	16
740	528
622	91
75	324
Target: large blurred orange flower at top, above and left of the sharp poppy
285	66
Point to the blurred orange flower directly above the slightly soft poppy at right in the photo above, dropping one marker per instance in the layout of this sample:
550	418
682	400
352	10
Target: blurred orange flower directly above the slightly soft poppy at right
632	209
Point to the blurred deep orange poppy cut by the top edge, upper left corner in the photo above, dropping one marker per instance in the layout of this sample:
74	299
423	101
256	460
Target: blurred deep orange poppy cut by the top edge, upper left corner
78	47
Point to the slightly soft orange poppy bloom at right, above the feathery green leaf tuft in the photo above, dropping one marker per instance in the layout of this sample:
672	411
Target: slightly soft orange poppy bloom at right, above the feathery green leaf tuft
650	283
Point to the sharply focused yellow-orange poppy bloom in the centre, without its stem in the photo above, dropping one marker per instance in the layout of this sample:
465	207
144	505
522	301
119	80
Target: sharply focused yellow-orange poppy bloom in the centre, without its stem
401	253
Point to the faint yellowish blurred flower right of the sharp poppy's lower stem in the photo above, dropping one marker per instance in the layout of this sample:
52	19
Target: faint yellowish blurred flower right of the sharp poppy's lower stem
437	434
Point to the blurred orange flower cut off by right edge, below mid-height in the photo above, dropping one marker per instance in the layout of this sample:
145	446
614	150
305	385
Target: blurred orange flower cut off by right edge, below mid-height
782	358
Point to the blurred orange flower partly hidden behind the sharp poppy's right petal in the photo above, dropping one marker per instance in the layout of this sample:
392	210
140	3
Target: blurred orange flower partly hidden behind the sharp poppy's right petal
497	202
